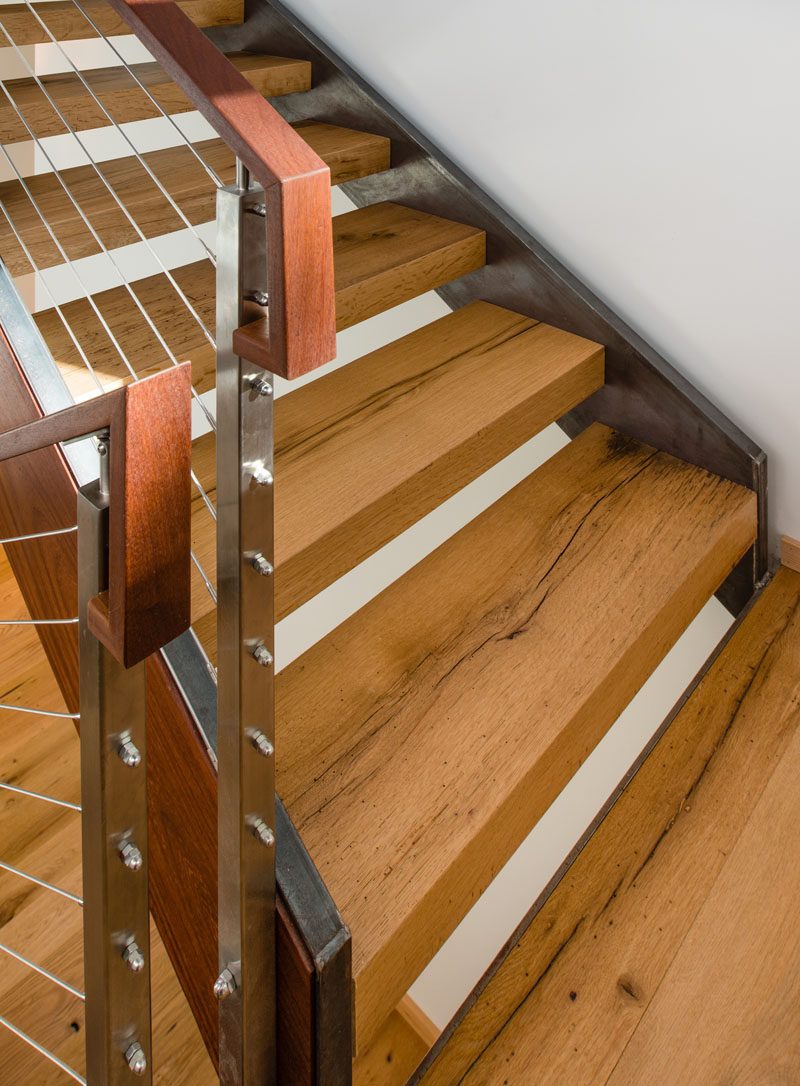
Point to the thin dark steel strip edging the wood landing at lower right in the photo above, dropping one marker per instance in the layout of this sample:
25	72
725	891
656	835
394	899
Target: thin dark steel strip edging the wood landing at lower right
582	843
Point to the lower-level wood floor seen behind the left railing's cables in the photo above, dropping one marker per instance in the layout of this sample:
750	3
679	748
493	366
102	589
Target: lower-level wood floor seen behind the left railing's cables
42	754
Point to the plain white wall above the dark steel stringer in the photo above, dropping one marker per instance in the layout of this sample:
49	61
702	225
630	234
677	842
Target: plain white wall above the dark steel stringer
654	147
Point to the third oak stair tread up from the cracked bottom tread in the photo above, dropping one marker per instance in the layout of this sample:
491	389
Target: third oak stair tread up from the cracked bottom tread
445	254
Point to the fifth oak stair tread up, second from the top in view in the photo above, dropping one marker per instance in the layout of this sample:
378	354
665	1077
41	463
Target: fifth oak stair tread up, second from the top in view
121	96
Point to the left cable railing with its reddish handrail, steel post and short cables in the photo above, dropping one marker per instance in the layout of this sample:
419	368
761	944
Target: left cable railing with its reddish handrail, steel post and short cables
132	601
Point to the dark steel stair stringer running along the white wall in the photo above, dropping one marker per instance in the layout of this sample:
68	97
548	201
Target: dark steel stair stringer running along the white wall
644	396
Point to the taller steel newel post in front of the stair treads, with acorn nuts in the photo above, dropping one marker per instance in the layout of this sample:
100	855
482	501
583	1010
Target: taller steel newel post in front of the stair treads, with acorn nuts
246	649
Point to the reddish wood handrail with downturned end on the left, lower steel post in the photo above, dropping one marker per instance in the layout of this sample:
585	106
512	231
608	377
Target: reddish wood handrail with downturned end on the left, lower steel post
149	423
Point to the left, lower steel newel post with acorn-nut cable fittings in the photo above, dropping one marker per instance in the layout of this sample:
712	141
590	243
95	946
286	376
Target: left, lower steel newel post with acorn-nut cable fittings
115	801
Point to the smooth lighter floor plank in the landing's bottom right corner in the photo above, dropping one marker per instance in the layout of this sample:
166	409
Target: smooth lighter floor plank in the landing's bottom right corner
728	1009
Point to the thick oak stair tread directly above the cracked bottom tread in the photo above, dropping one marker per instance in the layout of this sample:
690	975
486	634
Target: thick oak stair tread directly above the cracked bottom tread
367	450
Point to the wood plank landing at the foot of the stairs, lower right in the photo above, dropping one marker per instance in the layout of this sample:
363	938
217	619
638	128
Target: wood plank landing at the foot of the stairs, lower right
666	940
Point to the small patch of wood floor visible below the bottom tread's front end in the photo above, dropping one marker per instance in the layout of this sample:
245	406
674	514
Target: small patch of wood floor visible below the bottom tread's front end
400	1046
